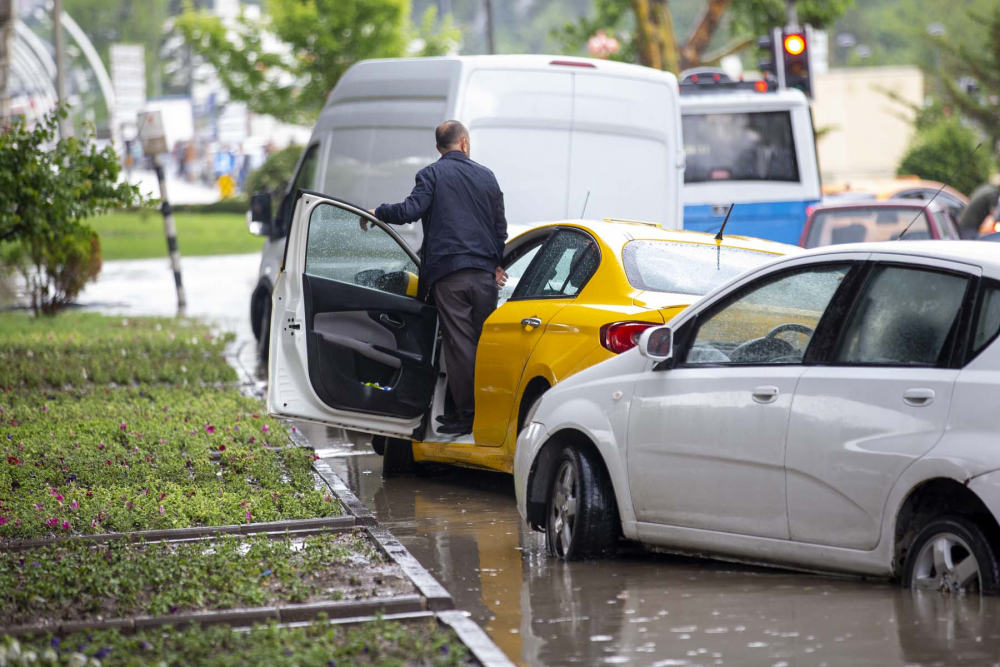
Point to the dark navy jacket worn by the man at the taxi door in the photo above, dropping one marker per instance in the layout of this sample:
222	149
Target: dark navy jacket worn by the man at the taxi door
461	206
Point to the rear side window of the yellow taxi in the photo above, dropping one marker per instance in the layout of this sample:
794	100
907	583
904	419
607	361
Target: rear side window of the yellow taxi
561	268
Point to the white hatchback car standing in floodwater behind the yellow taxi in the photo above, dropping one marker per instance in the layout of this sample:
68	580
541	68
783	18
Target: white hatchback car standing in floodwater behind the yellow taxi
832	411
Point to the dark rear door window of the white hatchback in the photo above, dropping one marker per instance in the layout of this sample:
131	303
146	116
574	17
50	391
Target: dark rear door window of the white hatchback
903	318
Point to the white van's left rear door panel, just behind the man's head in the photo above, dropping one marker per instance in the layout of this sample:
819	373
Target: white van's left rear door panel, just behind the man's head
519	125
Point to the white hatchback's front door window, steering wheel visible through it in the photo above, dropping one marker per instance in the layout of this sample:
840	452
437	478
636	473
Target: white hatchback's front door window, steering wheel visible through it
772	322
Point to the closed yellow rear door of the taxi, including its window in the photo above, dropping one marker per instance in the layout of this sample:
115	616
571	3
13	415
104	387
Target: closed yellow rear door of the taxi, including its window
544	288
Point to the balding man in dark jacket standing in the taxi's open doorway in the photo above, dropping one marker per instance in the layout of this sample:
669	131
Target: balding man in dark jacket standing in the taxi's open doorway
461	207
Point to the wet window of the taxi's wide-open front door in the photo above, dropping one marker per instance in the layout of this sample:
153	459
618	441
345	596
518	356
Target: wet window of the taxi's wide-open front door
338	249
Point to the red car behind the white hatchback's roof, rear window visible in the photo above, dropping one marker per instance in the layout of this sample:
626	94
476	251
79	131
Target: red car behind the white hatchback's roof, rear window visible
861	221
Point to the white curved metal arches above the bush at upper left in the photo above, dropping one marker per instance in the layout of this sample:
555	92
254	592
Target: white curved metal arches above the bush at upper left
36	64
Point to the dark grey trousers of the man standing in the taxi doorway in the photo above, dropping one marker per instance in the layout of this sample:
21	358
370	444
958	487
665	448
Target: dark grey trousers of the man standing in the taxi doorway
464	300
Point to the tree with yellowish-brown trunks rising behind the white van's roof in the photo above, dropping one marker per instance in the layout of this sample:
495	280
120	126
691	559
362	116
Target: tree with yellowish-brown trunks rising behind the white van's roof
647	28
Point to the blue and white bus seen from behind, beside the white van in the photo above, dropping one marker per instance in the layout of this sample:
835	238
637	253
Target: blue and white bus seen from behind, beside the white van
750	147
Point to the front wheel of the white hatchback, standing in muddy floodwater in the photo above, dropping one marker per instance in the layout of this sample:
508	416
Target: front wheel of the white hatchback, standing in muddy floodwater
581	514
